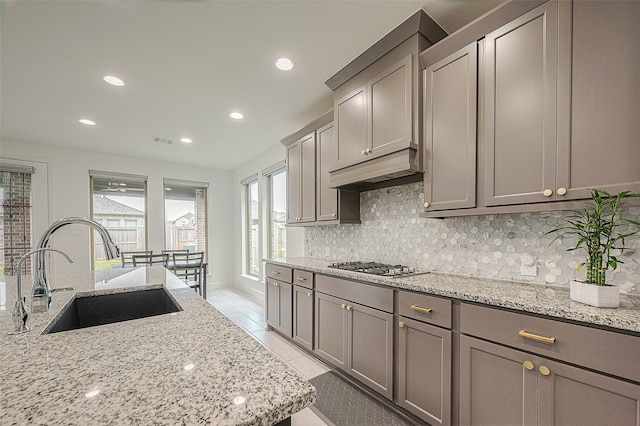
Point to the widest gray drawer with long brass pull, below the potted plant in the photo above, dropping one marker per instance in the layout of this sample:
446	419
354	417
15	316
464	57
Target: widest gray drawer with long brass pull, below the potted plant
602	350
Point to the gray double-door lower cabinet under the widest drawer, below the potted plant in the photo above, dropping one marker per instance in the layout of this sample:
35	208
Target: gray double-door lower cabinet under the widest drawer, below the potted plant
500	385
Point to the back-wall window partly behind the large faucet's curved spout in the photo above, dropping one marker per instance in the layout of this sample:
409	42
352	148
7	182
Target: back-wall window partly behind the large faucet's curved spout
118	202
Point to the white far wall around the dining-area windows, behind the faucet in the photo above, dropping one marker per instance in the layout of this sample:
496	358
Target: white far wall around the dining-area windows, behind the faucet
69	194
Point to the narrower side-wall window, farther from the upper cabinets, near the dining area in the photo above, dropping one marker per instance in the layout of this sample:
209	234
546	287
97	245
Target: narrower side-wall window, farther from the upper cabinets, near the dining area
252	222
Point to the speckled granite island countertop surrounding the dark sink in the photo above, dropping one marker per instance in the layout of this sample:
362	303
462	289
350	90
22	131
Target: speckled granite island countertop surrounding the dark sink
191	367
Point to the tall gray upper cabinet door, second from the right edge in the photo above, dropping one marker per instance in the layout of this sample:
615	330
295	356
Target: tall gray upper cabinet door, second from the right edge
519	71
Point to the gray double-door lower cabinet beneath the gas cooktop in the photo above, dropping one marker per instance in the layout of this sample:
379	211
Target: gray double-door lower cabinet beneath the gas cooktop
357	339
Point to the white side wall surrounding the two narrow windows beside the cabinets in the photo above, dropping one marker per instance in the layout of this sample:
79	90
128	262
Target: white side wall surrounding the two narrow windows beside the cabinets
295	236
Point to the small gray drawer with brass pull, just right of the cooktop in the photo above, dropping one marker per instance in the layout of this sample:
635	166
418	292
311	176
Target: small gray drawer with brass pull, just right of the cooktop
414	305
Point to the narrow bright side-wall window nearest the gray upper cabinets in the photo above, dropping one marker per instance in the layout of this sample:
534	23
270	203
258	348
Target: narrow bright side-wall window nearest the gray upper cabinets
277	210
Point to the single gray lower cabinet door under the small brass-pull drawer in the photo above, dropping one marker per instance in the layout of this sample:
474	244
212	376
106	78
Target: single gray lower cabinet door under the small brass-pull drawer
424	369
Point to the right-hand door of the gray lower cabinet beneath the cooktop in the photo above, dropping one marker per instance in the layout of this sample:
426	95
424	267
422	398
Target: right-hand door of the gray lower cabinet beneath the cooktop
370	338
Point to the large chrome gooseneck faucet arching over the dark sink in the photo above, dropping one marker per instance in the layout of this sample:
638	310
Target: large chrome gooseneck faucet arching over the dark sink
41	286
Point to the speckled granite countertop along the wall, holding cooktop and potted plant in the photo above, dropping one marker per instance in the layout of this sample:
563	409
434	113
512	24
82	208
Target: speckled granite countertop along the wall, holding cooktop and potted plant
552	301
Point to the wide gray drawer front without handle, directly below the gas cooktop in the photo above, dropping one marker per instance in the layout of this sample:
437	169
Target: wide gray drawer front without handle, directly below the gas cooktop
364	294
